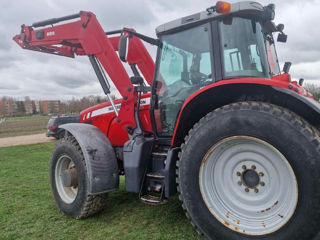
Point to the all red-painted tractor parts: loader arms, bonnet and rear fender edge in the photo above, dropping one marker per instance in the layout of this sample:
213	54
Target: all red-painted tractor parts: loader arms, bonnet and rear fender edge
86	37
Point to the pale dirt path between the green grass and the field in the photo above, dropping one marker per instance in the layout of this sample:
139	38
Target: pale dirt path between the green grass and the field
24	140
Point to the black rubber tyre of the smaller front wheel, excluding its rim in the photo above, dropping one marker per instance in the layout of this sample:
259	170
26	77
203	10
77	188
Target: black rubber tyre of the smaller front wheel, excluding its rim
84	204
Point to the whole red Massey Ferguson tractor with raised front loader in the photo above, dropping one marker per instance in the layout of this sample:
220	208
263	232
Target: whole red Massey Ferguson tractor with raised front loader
214	119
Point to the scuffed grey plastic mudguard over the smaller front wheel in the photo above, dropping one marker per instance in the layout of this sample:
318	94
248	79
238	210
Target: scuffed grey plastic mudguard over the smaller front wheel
101	162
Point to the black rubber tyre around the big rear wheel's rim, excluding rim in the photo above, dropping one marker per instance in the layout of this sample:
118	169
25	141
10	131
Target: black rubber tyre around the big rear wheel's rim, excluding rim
296	139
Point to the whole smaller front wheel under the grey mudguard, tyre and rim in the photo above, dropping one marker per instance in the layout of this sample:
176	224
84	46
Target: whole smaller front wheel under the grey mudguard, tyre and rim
69	181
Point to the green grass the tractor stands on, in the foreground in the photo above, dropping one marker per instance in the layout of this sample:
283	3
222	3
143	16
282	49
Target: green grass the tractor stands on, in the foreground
28	211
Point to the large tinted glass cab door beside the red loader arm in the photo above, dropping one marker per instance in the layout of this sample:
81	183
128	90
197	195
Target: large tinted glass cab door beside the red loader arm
184	67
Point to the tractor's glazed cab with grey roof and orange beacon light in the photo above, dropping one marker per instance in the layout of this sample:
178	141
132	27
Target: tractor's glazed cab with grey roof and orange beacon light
227	41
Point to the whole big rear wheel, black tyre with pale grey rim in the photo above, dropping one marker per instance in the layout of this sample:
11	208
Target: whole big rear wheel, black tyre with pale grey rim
251	171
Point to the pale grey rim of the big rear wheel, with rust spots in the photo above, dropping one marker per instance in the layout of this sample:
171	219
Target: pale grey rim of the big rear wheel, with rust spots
229	186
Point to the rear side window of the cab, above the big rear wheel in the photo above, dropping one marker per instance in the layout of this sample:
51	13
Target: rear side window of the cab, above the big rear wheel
244	49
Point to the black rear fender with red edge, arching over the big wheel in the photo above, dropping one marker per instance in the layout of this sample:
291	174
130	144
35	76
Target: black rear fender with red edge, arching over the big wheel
208	99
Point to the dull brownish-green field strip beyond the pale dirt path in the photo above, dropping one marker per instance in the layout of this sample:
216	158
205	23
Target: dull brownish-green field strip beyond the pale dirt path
23	126
